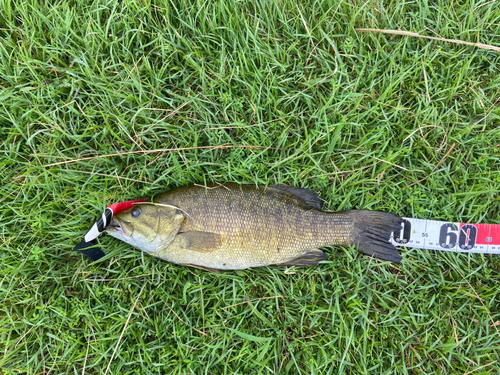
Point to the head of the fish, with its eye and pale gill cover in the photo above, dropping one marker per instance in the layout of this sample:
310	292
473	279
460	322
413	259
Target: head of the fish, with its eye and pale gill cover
147	226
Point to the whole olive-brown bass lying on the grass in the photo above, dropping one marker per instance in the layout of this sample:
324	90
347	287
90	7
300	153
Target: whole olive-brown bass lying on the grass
229	226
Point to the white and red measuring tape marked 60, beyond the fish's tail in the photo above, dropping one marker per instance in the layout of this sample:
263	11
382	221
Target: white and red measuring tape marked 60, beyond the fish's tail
448	236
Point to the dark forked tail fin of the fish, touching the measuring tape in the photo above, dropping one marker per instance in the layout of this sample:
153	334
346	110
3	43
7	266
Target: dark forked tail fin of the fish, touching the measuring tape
372	231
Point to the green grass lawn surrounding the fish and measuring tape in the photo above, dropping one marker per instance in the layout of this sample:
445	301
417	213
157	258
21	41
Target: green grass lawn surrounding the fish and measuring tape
356	117
